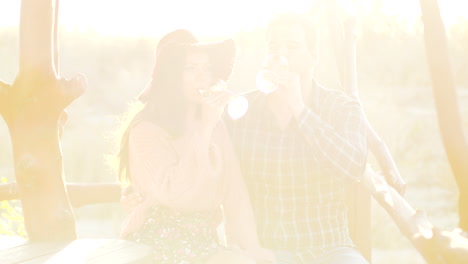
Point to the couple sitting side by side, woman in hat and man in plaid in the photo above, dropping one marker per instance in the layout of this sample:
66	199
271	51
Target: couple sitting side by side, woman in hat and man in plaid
280	171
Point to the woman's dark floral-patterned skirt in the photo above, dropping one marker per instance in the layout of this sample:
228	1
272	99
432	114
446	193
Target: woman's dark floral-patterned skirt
179	237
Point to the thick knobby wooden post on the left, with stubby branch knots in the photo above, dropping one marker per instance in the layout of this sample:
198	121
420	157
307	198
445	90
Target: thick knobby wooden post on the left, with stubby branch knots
31	107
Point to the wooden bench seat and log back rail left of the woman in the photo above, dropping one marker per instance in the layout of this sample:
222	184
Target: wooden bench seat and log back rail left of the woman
84	250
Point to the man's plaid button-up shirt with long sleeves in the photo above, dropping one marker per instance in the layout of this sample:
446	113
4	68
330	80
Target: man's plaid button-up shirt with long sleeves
297	176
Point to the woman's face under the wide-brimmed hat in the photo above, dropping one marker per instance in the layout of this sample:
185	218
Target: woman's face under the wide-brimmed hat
197	75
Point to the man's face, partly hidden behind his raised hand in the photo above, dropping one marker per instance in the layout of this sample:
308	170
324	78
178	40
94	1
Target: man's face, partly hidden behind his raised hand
290	41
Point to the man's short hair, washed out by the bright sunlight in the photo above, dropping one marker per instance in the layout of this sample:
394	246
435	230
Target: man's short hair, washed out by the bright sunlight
302	20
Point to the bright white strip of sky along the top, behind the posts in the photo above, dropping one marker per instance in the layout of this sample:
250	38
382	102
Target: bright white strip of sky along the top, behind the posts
153	18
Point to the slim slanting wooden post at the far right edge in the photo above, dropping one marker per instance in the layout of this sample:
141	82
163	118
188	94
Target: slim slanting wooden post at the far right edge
444	90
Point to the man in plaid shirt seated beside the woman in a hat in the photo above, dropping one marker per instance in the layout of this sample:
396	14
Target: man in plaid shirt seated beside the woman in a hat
299	147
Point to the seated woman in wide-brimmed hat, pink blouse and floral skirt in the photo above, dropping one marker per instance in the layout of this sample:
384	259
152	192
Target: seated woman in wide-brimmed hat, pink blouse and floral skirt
176	153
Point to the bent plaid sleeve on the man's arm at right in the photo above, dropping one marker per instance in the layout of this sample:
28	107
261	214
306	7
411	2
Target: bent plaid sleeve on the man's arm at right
339	132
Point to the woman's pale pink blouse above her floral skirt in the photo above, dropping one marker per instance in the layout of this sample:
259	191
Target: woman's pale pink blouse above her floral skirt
181	179
